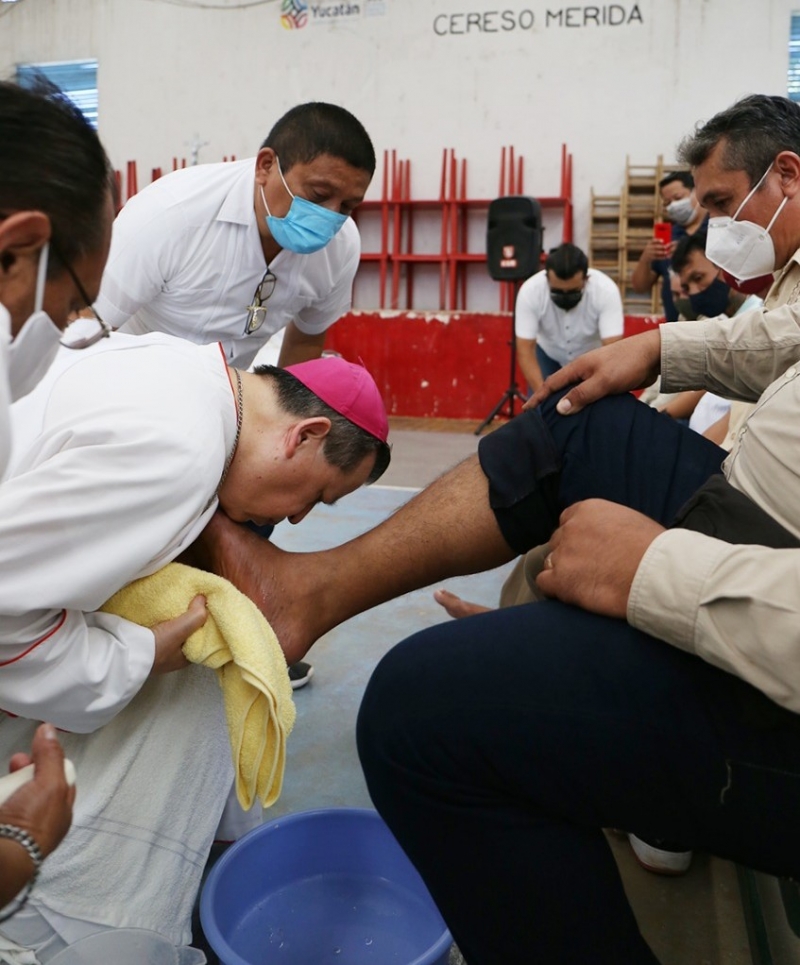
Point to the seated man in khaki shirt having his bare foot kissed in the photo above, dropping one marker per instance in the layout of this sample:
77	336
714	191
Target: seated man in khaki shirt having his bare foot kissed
659	689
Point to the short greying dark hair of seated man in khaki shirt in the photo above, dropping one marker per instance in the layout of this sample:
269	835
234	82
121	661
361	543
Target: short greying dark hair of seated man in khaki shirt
755	129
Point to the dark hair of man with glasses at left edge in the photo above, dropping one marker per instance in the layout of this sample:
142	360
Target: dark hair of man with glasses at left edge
52	161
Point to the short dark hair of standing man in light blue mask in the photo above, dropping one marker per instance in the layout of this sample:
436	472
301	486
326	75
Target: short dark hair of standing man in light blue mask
309	130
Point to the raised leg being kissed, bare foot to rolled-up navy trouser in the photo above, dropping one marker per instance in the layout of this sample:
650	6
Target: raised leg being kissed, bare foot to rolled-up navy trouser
536	465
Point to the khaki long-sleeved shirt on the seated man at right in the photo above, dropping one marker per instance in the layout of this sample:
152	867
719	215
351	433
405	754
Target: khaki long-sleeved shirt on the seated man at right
738	607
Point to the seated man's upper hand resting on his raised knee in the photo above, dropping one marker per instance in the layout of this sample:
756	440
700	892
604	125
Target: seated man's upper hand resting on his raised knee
632	363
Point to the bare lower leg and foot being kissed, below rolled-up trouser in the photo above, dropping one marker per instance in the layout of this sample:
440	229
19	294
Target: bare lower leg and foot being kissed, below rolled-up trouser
446	530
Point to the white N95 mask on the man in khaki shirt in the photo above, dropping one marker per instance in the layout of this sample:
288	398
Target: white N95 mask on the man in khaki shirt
742	248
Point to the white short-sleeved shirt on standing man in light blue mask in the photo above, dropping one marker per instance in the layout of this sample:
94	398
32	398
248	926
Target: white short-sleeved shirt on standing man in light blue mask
186	259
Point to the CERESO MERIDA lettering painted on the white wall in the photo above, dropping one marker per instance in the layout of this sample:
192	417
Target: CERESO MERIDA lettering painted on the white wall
549	17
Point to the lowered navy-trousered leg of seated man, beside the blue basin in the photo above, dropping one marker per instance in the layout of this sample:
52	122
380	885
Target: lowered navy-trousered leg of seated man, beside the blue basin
497	787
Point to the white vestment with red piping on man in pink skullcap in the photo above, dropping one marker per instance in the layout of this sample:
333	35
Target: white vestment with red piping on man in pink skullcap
116	458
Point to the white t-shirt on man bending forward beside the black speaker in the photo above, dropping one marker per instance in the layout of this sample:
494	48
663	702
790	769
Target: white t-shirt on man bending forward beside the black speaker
566	335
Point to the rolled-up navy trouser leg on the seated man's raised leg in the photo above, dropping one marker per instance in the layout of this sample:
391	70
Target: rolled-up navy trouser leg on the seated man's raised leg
617	449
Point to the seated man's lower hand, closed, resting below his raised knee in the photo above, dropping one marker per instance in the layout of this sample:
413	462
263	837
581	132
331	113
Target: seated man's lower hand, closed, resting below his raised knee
594	556
